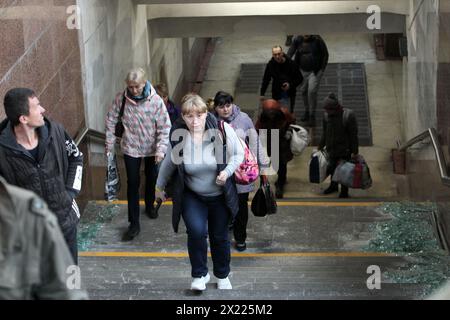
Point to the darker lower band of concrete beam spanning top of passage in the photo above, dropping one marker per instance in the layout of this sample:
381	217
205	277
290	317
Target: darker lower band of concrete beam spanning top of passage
266	25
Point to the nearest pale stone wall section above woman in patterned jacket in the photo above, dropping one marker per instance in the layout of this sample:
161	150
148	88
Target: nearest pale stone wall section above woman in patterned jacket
113	40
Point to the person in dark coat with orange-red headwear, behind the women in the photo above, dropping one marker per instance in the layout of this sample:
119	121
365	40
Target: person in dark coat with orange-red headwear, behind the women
276	117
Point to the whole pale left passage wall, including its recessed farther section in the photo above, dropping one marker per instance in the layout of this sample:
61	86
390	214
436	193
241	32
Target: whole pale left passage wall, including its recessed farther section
114	38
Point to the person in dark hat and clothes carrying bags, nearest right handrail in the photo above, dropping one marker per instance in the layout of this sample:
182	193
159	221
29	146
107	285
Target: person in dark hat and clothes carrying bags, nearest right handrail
340	137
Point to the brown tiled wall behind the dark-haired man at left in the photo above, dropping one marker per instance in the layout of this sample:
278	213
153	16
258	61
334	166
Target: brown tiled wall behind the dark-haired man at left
40	52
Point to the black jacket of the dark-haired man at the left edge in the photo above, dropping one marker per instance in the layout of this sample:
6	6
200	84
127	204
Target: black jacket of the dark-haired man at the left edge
55	177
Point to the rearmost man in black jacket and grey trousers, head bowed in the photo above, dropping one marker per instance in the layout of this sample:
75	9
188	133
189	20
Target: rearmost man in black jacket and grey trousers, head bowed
311	55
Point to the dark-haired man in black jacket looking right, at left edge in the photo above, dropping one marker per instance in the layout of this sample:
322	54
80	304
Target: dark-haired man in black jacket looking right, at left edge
37	154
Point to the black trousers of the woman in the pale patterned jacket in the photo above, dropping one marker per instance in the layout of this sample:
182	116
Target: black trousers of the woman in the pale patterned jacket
133	166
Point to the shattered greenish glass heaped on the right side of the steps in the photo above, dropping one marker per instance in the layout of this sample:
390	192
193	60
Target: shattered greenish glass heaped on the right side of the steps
410	233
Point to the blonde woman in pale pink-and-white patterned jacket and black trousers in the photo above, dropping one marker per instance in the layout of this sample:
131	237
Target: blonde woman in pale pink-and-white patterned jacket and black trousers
146	127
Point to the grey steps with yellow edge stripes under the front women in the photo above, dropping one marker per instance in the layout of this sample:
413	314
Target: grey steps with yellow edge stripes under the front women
306	251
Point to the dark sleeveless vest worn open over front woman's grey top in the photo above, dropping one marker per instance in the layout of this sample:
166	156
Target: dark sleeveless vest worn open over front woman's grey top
229	189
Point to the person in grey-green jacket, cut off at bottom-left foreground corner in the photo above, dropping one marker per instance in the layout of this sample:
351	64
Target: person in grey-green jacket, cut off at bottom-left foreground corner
34	260
